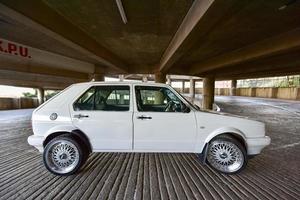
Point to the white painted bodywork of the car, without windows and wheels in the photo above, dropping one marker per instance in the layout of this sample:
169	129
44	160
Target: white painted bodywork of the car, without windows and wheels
121	131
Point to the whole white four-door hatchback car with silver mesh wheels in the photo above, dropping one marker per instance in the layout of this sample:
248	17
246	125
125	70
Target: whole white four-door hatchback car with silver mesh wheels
138	117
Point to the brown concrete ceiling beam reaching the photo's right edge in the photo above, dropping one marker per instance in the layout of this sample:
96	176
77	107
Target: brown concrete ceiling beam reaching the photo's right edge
268	47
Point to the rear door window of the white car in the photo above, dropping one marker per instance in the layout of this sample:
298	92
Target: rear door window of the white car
106	98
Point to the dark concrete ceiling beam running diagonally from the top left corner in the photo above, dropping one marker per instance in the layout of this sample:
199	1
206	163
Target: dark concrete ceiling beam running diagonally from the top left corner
50	23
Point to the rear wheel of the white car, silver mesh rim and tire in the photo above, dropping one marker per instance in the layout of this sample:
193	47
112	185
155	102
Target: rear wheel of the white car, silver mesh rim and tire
63	155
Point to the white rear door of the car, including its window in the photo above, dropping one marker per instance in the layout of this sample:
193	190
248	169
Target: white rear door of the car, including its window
104	114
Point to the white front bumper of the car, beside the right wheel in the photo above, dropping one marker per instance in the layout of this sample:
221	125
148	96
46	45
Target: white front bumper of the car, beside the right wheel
255	145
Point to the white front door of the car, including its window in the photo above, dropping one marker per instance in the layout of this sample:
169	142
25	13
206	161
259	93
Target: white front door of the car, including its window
160	126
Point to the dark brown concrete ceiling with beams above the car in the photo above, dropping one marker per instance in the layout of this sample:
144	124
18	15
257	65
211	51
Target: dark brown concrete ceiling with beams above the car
225	39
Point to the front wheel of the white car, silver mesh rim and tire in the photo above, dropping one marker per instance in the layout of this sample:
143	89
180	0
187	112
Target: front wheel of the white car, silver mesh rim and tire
227	155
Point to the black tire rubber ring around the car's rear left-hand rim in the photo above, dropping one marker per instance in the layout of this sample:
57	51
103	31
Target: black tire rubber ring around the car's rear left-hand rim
80	152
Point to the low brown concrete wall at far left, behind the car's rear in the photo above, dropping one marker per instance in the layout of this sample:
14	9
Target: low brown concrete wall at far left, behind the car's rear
17	103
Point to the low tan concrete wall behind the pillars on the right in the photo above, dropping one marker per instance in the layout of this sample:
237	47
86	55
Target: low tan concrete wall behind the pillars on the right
279	93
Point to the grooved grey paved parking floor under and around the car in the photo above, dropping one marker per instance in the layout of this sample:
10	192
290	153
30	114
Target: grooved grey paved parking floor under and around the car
275	174
